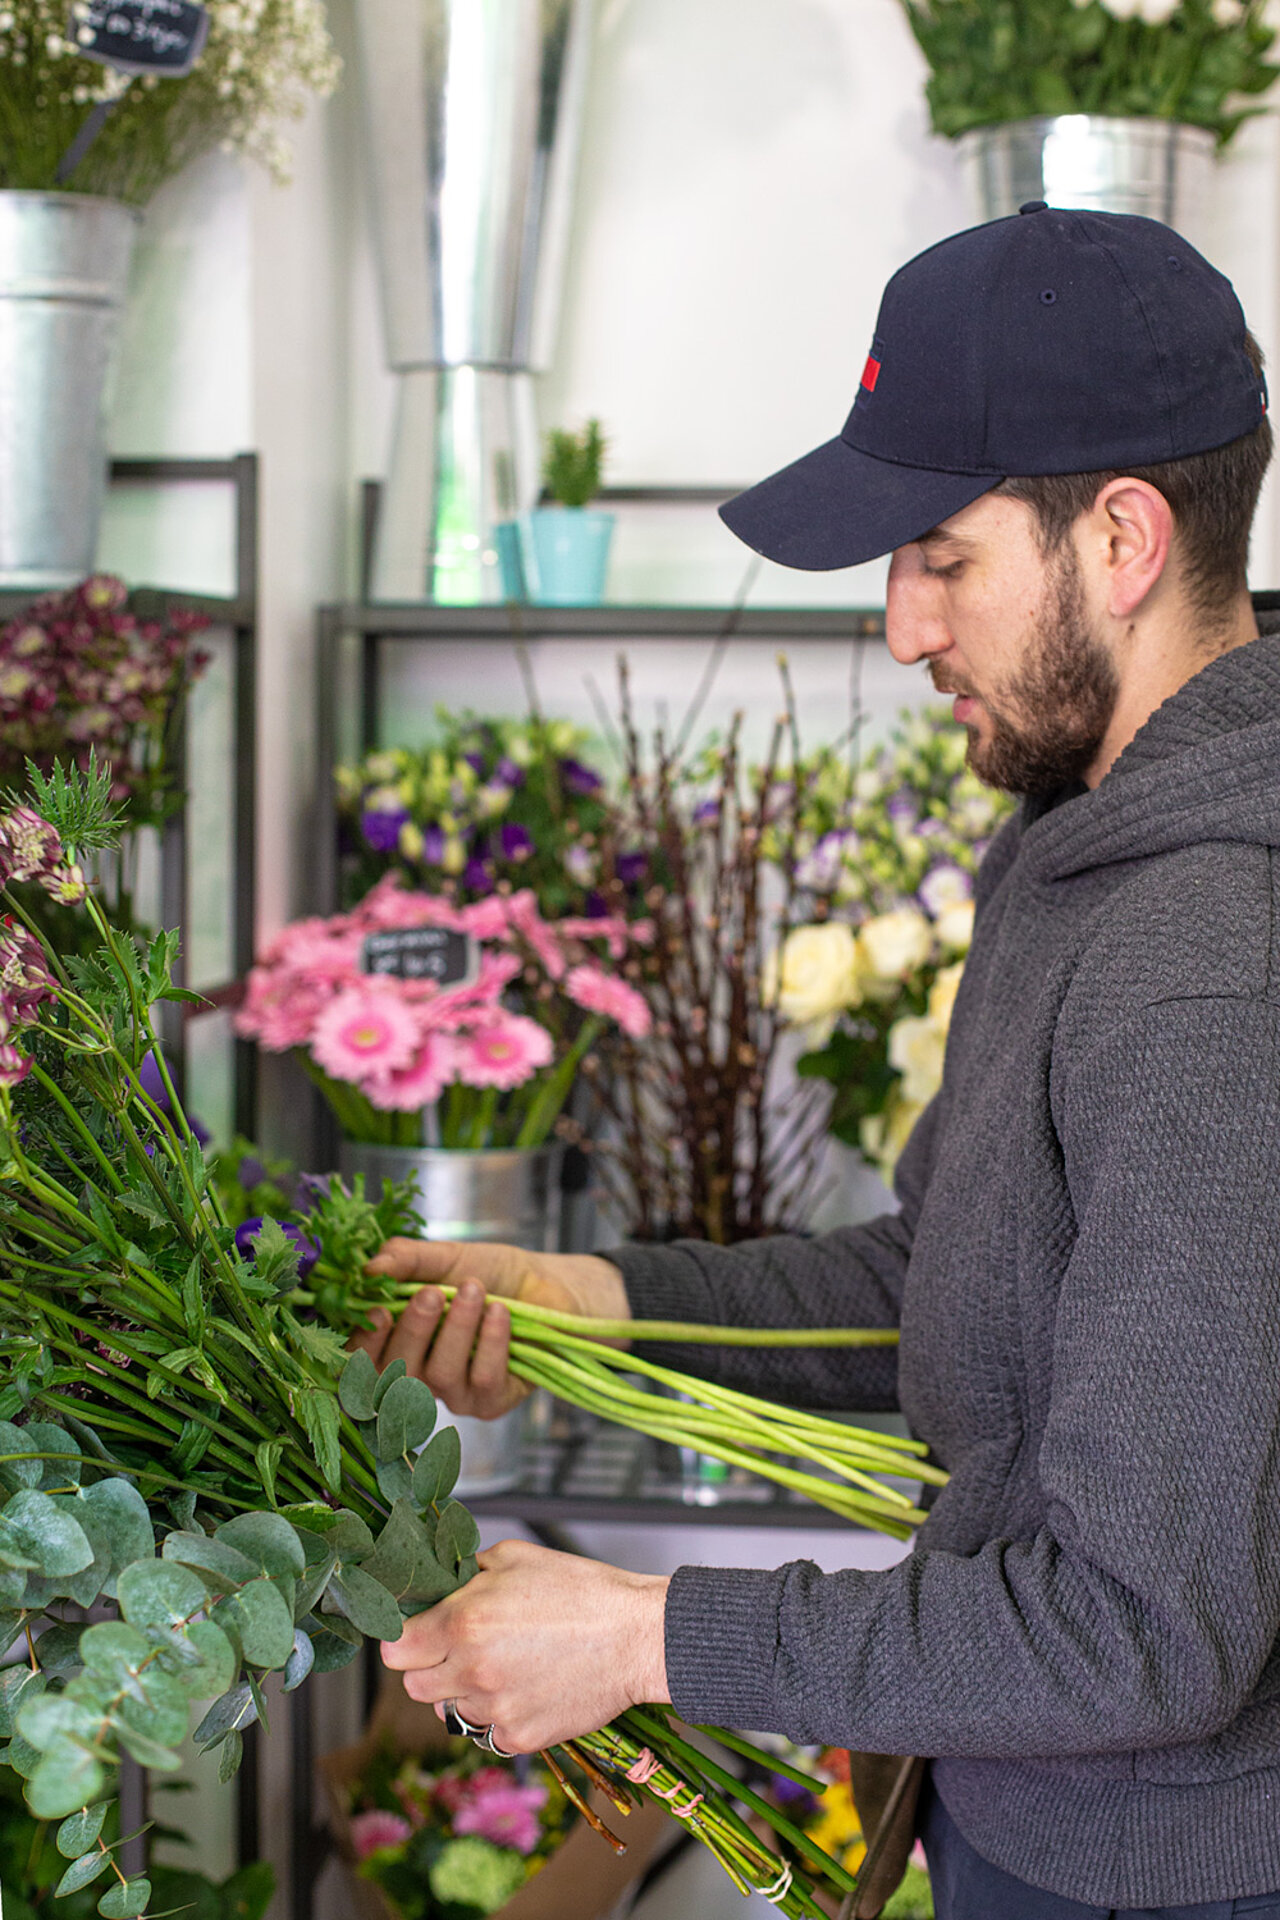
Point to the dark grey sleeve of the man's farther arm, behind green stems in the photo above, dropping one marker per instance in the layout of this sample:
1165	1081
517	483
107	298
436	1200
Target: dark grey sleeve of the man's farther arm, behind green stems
851	1278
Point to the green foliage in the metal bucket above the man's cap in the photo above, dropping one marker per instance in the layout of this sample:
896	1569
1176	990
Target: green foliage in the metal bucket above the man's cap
1007	60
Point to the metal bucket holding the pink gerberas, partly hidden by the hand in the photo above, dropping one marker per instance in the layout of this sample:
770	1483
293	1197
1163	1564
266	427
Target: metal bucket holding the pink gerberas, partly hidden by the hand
510	1195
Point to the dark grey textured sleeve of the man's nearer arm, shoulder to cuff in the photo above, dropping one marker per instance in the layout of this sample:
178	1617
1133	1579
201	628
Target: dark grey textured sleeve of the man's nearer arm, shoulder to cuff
1147	1606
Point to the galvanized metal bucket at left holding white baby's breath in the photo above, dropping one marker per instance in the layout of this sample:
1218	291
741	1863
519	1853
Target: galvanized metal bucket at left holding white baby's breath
64	272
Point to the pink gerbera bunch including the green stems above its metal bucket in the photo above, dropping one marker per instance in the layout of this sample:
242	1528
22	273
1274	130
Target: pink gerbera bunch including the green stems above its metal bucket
494	1055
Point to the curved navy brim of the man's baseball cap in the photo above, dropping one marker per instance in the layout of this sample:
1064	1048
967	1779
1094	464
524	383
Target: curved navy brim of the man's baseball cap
840	508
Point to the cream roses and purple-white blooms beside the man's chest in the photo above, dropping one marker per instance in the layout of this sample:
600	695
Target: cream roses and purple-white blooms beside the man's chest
884	861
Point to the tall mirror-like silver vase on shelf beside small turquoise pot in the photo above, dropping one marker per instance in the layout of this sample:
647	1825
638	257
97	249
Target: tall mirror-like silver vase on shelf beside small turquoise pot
473	112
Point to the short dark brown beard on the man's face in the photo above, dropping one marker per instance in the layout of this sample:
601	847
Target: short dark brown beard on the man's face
1049	721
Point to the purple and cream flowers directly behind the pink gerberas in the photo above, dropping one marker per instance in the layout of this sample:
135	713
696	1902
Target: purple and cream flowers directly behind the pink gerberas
488	804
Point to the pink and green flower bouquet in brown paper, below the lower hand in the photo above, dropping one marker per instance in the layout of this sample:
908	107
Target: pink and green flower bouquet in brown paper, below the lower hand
460	1836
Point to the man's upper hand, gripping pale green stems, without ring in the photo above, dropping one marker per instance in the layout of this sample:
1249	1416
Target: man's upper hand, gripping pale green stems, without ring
462	1353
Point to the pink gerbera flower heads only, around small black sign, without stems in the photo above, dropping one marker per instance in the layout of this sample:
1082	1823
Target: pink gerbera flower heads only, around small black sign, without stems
404	1042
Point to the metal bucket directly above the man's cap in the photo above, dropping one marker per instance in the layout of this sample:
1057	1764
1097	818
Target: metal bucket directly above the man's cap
1093	160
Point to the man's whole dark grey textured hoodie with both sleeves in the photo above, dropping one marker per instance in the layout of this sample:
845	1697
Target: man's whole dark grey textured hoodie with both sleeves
1087	1276
